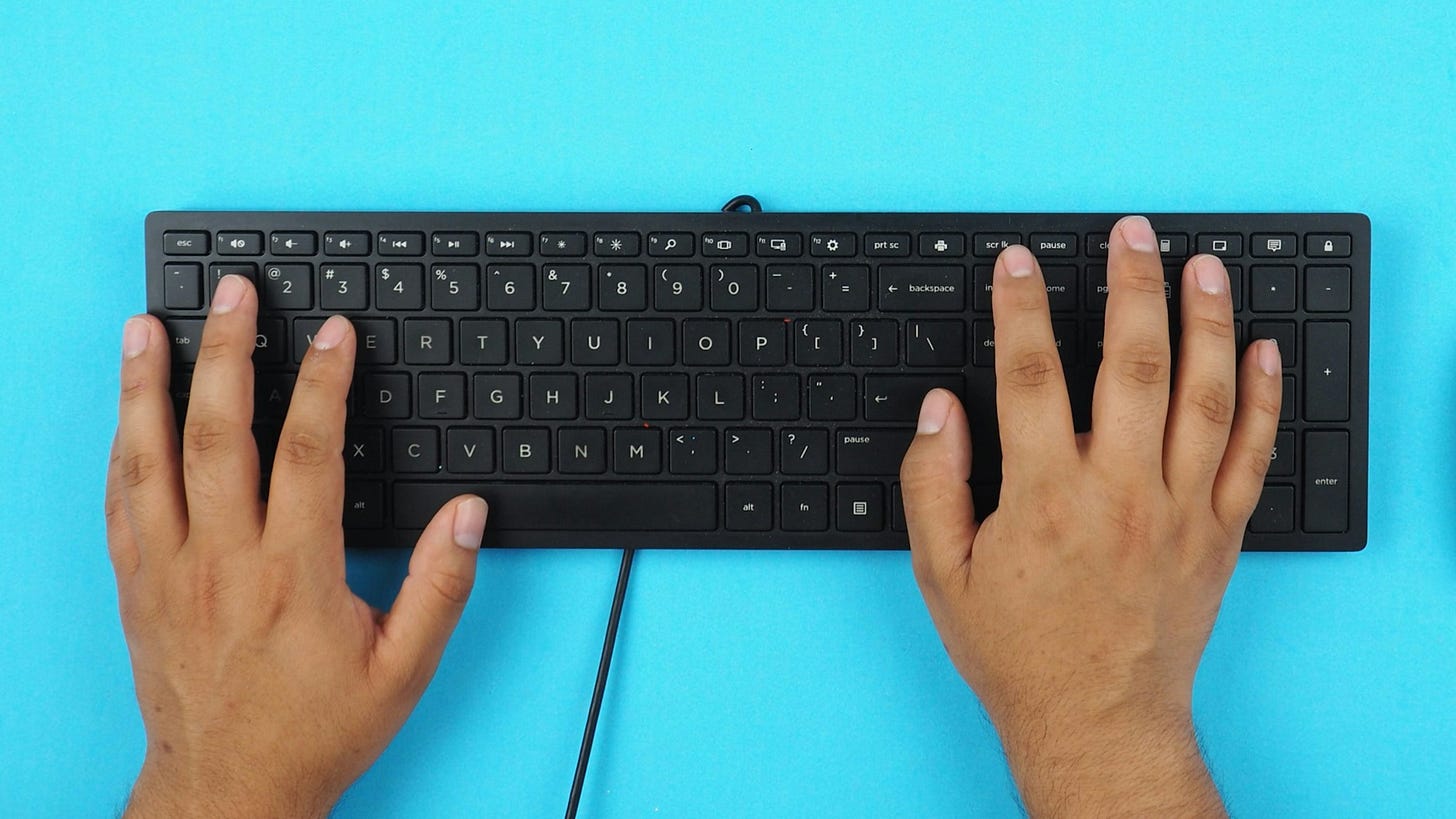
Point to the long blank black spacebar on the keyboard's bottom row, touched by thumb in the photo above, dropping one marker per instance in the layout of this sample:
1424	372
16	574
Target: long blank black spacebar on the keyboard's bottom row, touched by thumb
570	508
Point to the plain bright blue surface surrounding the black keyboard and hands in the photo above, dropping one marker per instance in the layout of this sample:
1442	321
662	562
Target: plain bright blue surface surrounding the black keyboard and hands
746	684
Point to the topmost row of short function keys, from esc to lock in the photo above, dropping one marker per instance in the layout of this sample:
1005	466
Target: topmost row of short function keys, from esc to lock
730	244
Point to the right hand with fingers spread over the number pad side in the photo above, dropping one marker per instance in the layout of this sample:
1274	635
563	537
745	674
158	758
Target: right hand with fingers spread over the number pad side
1080	610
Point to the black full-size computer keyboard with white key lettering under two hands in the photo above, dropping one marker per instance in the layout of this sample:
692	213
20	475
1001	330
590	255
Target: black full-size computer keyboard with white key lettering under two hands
733	380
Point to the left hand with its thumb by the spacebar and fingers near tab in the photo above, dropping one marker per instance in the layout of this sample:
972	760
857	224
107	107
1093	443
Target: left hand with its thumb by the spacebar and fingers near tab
266	686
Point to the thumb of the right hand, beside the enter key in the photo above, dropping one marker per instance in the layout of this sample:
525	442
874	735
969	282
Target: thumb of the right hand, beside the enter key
934	483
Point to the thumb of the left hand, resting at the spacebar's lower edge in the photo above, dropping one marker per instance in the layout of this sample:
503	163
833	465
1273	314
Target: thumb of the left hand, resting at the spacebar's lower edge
442	573
